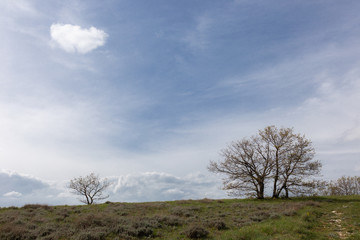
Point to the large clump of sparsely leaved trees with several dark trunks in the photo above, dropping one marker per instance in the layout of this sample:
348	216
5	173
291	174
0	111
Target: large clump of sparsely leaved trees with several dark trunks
274	156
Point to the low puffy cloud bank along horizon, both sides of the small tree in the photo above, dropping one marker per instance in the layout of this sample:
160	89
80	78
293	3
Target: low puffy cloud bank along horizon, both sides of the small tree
19	189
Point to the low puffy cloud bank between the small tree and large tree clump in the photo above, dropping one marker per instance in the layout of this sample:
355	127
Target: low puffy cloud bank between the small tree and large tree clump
157	186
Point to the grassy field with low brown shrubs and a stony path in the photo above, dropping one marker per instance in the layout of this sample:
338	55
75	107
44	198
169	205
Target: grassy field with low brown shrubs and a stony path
298	218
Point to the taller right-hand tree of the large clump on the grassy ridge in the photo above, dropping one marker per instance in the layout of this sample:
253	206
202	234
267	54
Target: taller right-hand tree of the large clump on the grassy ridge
292	155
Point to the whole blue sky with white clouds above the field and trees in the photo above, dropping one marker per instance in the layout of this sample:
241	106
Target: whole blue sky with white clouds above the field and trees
146	93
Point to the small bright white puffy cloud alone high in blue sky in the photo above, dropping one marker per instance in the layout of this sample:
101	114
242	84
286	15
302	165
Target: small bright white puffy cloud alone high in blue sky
73	38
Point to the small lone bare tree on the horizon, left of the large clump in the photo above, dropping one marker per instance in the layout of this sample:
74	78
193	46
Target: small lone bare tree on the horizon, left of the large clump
90	187
